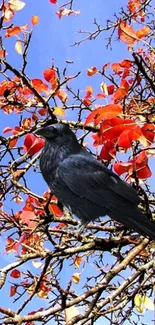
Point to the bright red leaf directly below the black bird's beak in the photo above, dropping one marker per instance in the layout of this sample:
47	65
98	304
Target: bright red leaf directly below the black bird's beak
32	144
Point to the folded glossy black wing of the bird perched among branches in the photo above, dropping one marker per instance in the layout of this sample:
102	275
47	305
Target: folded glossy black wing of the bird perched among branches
88	178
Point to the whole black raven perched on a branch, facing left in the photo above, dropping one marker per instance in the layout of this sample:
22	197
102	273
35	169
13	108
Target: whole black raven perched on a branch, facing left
86	186
